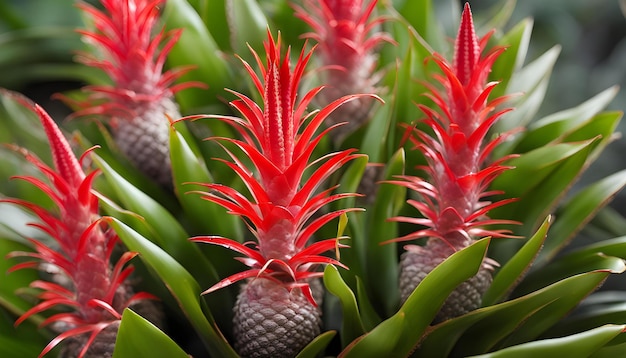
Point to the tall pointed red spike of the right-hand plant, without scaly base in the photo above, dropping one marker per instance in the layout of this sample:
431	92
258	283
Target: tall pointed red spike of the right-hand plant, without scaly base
457	153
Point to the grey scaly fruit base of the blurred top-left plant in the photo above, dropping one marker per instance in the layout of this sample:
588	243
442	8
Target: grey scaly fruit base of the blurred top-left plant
144	139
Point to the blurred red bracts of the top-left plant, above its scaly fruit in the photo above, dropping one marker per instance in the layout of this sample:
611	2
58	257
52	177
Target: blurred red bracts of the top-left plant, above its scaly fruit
132	57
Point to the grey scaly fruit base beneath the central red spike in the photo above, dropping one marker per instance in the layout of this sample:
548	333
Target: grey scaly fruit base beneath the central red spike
271	321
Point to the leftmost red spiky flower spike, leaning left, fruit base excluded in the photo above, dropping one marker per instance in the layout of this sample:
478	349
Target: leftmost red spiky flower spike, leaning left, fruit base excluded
97	296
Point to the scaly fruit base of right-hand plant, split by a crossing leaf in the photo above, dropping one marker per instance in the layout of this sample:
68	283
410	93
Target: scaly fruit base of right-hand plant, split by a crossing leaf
418	262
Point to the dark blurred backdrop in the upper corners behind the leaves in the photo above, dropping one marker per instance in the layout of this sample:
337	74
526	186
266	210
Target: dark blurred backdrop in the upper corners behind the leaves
37	43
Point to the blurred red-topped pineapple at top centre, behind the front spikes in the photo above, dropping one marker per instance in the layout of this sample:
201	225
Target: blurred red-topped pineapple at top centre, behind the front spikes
347	35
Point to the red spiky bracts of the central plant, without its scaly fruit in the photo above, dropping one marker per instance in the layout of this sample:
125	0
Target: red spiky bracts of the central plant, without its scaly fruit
279	140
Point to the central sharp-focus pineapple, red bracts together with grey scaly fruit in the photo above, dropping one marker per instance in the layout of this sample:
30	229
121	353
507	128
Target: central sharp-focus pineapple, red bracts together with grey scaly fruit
276	313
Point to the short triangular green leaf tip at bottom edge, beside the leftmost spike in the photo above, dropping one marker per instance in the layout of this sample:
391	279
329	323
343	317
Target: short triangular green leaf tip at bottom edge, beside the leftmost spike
137	337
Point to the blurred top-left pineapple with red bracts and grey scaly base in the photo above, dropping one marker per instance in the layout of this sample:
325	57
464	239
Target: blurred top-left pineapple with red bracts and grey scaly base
140	101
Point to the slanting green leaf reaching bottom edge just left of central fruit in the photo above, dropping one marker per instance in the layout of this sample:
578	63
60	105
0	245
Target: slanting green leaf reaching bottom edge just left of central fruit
182	286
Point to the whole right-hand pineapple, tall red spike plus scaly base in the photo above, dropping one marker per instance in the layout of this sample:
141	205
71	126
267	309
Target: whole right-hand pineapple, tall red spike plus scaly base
459	170
